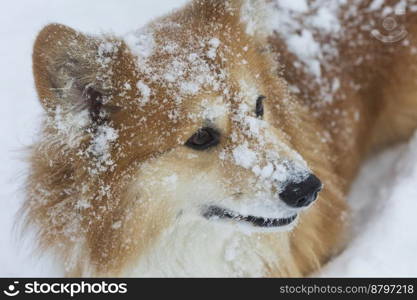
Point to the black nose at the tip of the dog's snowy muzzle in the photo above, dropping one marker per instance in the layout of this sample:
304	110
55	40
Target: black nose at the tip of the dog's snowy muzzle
302	193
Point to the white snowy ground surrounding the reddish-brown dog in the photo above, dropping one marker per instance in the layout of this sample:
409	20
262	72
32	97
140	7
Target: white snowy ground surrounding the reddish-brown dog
383	200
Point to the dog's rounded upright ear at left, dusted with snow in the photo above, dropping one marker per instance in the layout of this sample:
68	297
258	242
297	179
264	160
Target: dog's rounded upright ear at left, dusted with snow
70	69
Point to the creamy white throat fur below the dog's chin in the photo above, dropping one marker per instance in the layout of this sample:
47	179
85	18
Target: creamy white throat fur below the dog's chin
200	248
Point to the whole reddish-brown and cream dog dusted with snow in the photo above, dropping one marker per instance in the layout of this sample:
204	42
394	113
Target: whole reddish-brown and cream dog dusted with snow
168	152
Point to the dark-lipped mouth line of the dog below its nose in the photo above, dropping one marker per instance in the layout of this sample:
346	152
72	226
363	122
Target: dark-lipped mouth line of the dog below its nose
215	212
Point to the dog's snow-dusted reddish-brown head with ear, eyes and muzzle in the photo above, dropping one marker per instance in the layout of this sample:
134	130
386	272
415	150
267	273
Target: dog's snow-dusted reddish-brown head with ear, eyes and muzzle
184	119
